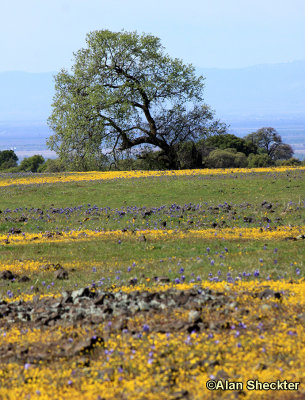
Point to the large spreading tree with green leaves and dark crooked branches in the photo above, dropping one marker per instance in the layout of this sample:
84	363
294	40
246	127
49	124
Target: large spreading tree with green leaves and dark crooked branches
124	91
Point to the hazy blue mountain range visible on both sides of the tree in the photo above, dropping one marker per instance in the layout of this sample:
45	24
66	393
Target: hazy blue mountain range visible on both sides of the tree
252	97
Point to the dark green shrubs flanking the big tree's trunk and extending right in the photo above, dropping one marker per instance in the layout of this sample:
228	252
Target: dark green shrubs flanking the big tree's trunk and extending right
221	151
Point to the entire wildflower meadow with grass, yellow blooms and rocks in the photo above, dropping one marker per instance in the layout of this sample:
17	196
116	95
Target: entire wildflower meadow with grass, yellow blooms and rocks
153	285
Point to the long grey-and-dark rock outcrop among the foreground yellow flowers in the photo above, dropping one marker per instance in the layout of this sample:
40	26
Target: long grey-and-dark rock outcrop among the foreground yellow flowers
94	307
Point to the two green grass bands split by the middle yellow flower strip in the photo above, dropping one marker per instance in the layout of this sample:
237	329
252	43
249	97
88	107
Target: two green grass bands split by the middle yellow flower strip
156	203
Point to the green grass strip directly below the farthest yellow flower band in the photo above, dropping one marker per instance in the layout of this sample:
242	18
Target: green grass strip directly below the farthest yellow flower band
157	191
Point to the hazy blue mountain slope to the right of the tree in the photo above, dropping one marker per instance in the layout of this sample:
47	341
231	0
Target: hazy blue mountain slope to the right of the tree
274	92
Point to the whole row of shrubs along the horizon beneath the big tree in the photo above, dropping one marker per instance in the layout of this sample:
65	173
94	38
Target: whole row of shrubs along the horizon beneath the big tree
223	151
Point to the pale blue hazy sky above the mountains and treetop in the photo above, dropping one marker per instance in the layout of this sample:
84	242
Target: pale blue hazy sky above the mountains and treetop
41	35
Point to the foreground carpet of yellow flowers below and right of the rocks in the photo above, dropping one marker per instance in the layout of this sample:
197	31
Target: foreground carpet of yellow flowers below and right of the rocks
157	366
